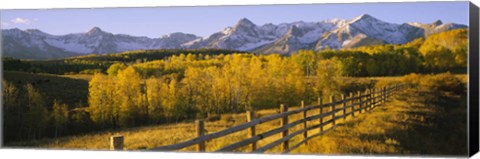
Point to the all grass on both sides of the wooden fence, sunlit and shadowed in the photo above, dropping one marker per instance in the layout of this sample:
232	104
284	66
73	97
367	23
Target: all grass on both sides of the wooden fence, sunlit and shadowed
411	124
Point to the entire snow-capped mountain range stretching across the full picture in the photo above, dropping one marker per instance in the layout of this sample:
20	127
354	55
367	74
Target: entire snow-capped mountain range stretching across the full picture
282	38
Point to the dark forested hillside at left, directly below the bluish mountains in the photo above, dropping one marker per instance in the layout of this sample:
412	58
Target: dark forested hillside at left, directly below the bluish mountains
93	63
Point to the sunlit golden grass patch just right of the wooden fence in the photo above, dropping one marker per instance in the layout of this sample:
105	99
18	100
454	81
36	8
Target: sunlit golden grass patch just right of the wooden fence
365	134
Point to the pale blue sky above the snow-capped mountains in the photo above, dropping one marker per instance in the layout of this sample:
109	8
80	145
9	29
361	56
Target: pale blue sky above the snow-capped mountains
203	21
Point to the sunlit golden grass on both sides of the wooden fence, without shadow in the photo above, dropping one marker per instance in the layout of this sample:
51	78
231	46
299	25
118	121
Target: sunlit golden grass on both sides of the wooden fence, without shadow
388	129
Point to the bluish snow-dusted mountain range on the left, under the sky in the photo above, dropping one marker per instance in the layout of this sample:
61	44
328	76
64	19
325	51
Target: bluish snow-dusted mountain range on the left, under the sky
36	44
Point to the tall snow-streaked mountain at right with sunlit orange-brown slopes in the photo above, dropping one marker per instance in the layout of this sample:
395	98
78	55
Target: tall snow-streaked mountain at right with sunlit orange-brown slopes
367	30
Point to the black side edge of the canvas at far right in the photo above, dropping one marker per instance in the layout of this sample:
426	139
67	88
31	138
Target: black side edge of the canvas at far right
473	82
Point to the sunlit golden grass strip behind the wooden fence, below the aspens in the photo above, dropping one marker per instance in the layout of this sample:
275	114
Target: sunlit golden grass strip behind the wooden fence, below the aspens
144	138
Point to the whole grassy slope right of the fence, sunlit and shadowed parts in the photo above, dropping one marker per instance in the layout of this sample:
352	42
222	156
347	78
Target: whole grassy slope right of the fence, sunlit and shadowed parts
419	121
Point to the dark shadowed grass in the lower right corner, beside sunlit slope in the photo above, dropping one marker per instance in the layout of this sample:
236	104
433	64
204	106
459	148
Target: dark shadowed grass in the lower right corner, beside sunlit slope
436	124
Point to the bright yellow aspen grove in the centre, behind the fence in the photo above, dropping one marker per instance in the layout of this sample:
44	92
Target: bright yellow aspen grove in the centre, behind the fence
242	82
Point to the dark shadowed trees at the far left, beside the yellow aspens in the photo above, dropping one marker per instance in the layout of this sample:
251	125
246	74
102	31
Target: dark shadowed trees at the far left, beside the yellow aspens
27	116
